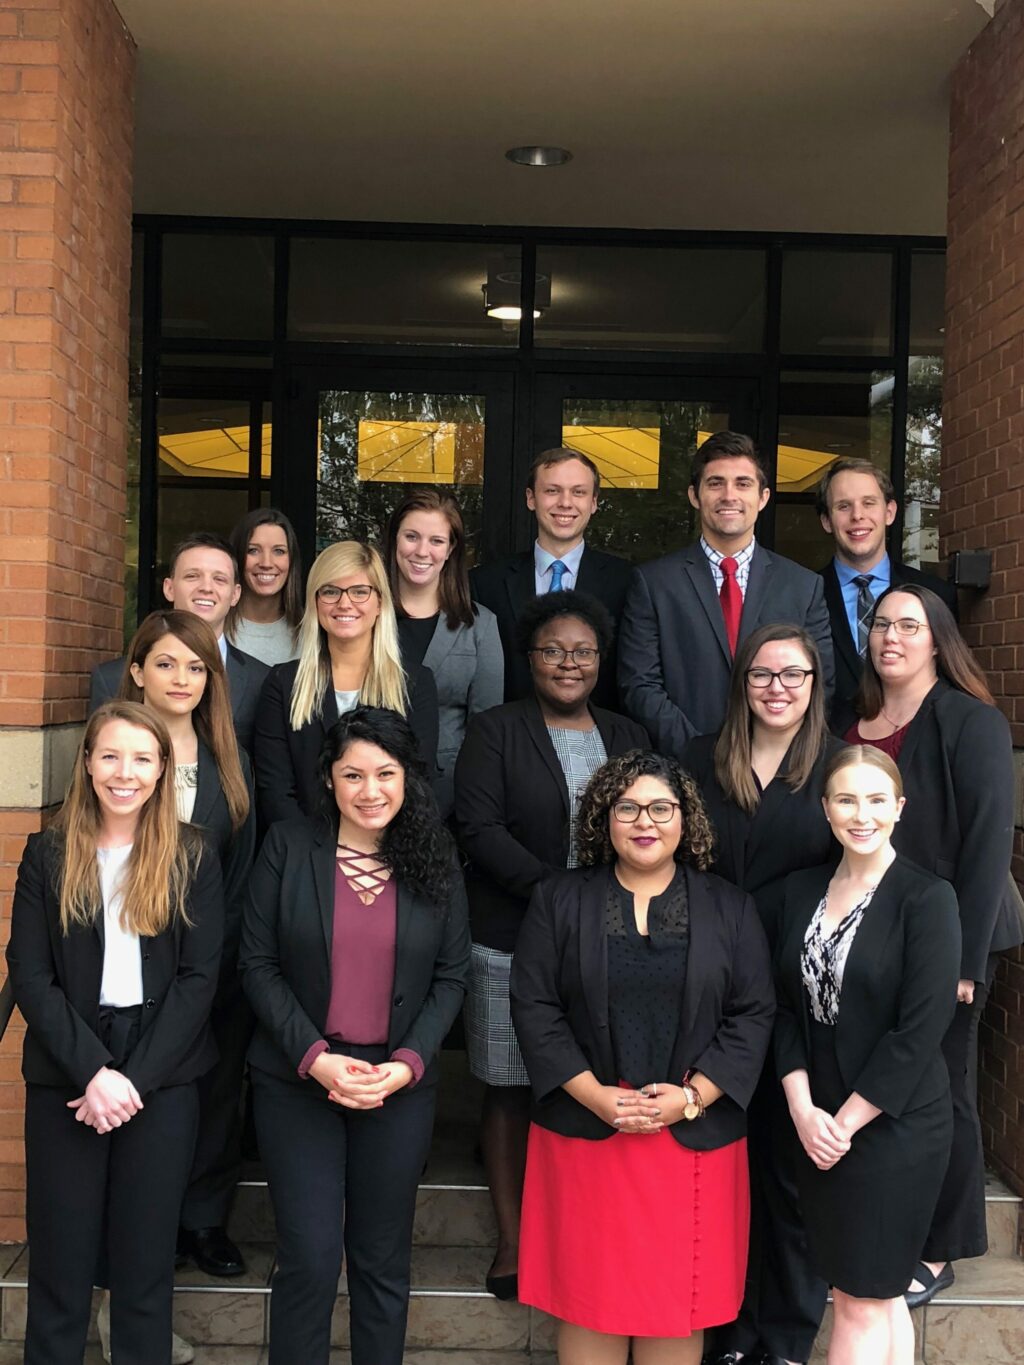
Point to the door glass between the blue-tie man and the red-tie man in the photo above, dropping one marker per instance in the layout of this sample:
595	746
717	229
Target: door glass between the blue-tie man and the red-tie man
645	454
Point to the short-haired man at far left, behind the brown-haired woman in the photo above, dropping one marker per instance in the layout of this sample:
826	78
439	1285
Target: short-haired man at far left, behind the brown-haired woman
203	579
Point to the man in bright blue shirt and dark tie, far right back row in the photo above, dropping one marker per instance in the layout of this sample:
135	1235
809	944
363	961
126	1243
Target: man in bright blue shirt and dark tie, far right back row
857	503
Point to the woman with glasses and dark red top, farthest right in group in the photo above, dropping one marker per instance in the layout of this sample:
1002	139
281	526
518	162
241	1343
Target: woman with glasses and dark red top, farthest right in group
925	702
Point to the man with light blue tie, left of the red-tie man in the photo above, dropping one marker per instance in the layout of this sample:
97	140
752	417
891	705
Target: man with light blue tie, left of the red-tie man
563	495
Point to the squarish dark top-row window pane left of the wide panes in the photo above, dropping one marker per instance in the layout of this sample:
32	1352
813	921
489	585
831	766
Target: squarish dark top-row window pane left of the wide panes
218	286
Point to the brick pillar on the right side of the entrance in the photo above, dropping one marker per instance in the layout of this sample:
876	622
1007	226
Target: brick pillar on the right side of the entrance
984	455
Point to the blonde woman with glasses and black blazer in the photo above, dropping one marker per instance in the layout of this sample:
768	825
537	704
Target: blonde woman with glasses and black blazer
349	656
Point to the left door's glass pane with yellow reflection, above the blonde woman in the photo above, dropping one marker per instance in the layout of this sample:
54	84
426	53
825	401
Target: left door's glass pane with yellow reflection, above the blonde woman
376	447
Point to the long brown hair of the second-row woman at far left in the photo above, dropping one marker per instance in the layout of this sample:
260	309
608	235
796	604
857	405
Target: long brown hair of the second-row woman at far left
212	715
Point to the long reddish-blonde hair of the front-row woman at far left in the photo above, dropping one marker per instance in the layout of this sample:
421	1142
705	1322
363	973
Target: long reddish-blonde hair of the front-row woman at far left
165	854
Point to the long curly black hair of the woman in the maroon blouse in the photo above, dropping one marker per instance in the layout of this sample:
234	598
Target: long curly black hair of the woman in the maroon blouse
416	846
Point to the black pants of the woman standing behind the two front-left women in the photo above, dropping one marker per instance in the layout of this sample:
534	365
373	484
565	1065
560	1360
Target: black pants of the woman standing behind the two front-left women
218	1162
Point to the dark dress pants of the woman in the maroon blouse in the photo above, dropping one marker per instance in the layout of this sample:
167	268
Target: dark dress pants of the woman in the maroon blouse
343	1184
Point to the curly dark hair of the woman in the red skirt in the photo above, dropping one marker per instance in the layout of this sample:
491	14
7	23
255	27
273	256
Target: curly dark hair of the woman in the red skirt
616	776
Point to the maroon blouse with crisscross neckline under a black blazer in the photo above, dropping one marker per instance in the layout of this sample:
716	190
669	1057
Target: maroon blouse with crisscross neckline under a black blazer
362	974
